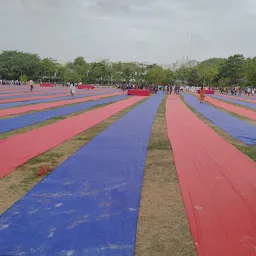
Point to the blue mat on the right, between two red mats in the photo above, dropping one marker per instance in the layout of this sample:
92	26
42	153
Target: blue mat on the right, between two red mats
233	126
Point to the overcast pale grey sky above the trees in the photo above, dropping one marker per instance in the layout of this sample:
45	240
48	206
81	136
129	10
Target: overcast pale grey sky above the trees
156	31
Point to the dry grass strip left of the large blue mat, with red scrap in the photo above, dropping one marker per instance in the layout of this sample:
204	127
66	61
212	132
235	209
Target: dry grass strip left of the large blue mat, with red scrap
21	180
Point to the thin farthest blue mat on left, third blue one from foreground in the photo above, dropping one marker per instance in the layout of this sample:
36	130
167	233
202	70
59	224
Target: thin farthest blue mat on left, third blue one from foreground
16	104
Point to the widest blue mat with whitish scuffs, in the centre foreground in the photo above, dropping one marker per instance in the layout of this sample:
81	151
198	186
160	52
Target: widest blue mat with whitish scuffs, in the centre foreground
89	205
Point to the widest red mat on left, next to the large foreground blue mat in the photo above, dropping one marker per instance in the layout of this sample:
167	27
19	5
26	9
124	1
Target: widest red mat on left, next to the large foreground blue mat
17	150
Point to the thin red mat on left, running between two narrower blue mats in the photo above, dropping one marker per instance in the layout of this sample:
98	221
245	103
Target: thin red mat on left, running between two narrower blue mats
42	106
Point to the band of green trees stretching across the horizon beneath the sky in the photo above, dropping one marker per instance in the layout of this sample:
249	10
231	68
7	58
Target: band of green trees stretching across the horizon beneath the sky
234	70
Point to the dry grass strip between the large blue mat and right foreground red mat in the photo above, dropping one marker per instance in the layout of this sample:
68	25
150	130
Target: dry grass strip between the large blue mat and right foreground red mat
163	228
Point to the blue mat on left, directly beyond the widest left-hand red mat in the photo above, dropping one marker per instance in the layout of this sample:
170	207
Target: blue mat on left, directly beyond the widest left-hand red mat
29	119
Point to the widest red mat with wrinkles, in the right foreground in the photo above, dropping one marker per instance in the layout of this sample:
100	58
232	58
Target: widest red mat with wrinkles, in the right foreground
218	185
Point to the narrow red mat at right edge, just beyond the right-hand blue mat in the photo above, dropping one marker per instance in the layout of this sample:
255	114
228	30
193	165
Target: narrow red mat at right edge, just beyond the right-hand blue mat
232	108
